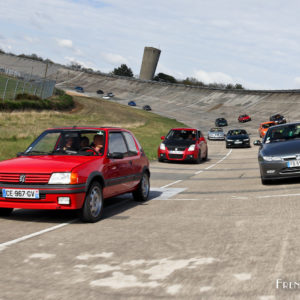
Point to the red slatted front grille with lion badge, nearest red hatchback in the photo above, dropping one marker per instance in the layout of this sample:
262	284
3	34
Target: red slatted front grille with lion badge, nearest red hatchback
29	179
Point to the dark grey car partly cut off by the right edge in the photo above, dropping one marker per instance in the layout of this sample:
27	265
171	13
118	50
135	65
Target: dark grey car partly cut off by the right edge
279	153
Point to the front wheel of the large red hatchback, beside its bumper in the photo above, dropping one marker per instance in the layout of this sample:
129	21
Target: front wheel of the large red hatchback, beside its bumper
93	204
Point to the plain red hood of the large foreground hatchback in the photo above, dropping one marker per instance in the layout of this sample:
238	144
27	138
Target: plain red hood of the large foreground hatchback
43	164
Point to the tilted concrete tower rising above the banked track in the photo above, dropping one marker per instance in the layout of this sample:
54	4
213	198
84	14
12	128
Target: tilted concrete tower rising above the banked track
149	63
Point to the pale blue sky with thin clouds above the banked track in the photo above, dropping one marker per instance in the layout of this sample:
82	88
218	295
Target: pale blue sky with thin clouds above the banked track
252	42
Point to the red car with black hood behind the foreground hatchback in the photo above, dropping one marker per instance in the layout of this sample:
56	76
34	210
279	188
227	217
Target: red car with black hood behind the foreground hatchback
183	144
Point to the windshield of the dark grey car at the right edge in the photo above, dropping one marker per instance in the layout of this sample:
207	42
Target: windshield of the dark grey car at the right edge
283	133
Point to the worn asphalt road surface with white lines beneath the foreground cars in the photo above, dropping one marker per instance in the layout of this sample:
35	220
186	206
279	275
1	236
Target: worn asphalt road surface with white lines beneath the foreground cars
209	231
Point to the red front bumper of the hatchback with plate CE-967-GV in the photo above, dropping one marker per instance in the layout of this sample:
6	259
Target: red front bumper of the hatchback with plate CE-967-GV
48	197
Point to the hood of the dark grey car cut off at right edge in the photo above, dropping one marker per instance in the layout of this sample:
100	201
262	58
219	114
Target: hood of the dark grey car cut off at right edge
285	148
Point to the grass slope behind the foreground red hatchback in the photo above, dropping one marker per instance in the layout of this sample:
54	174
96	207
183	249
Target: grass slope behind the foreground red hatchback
19	129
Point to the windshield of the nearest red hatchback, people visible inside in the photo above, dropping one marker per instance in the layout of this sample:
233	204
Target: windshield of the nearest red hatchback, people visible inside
68	142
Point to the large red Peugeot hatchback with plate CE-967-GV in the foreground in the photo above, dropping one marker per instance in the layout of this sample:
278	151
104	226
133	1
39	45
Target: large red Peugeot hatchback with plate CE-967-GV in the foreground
62	169
